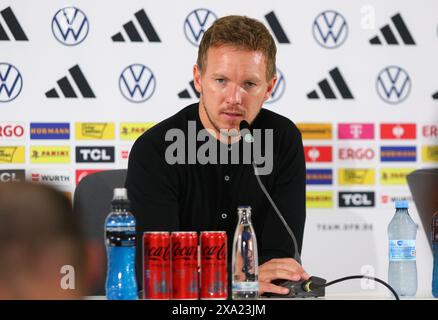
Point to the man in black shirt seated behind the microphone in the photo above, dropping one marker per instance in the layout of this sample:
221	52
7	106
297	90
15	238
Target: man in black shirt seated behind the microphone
171	188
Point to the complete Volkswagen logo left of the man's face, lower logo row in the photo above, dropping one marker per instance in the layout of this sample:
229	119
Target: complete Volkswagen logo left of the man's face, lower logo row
137	83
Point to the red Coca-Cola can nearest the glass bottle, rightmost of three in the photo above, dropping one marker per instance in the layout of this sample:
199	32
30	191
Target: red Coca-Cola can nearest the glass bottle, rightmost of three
214	280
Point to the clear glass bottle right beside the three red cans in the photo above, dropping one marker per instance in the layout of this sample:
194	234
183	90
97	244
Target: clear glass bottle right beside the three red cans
245	269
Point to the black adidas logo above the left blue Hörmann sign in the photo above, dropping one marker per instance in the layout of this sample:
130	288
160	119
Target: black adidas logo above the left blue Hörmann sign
66	85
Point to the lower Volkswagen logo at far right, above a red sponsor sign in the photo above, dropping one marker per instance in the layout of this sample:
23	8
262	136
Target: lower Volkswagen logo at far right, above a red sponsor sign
393	84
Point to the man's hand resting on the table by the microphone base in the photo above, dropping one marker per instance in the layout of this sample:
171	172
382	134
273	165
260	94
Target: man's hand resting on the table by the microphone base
282	268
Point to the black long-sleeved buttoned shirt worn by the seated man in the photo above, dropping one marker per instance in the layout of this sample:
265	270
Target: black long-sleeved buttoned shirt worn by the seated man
205	197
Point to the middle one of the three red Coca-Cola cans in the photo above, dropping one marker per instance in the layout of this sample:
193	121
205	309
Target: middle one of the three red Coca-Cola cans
184	265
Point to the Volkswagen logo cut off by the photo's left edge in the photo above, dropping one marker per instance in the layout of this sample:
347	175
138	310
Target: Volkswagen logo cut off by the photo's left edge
11	82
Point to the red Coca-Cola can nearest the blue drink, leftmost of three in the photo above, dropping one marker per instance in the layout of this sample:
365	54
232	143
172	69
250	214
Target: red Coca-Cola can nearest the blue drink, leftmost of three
156	265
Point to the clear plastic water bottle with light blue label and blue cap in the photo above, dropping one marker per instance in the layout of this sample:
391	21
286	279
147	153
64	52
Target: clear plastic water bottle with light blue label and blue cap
402	232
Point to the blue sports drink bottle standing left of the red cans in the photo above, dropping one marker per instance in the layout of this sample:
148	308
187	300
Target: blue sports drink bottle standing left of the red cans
120	237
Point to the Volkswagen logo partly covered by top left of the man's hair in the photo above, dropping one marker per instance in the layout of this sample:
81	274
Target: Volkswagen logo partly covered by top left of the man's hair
196	23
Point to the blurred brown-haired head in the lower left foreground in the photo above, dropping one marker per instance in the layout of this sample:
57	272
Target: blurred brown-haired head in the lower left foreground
42	250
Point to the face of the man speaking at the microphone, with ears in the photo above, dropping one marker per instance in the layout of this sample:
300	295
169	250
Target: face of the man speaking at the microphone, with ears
233	87
